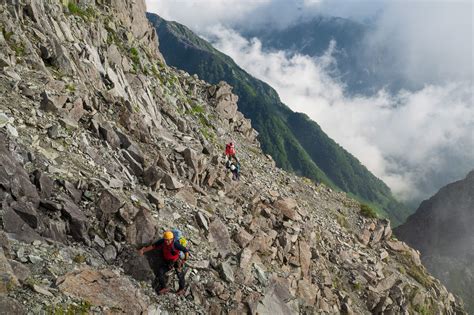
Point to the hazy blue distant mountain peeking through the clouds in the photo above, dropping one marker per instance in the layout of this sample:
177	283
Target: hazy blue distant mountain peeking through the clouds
361	70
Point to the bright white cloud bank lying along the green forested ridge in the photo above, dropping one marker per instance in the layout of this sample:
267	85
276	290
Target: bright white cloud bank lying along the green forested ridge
405	139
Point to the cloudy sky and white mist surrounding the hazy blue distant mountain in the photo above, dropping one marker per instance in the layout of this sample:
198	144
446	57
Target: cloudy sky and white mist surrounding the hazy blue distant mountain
416	141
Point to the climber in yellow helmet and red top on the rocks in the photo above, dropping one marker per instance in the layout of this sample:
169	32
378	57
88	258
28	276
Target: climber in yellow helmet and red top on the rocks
170	251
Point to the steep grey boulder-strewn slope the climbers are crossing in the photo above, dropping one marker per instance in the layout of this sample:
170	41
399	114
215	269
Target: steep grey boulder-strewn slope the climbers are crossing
103	147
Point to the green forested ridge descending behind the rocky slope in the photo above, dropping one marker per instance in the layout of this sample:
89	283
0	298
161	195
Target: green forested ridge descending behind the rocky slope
296	143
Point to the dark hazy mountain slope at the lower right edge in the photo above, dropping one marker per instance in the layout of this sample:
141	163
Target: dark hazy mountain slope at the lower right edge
442	230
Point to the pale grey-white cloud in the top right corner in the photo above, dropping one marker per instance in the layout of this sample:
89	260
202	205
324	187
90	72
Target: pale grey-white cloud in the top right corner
424	42
